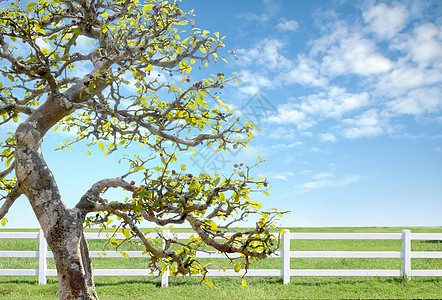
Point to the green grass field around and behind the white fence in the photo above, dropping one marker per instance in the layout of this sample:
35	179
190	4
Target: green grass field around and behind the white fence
257	287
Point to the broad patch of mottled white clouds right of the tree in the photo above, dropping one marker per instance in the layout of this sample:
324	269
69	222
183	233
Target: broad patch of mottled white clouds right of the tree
362	74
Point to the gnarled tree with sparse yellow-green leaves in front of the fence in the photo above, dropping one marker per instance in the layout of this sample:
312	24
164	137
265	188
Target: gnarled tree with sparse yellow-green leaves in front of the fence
129	44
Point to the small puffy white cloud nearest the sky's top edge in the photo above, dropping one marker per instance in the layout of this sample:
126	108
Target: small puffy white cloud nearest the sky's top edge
386	21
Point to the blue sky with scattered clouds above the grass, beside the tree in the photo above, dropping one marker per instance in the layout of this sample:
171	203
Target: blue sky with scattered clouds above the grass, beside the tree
349	96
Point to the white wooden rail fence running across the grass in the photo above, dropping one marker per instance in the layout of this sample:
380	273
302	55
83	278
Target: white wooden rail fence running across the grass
286	272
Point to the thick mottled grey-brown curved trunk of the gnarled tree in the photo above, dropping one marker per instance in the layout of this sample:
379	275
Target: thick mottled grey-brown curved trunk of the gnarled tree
63	227
